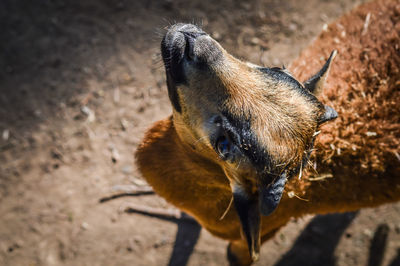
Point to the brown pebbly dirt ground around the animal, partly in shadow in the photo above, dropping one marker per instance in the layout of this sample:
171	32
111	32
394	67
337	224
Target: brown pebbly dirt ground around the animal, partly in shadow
79	84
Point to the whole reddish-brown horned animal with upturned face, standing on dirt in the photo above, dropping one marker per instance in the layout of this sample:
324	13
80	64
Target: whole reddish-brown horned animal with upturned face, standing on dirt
239	131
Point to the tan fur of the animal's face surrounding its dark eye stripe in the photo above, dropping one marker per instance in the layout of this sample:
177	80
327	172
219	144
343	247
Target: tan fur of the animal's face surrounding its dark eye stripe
282	119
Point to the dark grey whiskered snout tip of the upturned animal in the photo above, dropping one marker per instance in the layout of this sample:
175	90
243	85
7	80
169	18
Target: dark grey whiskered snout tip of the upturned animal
187	46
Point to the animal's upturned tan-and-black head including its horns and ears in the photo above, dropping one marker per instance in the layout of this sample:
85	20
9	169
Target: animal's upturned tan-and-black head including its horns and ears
257	123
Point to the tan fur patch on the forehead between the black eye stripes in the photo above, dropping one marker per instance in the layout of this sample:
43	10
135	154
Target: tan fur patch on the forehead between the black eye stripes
282	119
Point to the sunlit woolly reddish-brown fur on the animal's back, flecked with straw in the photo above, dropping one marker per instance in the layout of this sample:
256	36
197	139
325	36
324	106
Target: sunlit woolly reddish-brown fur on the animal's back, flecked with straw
367	94
